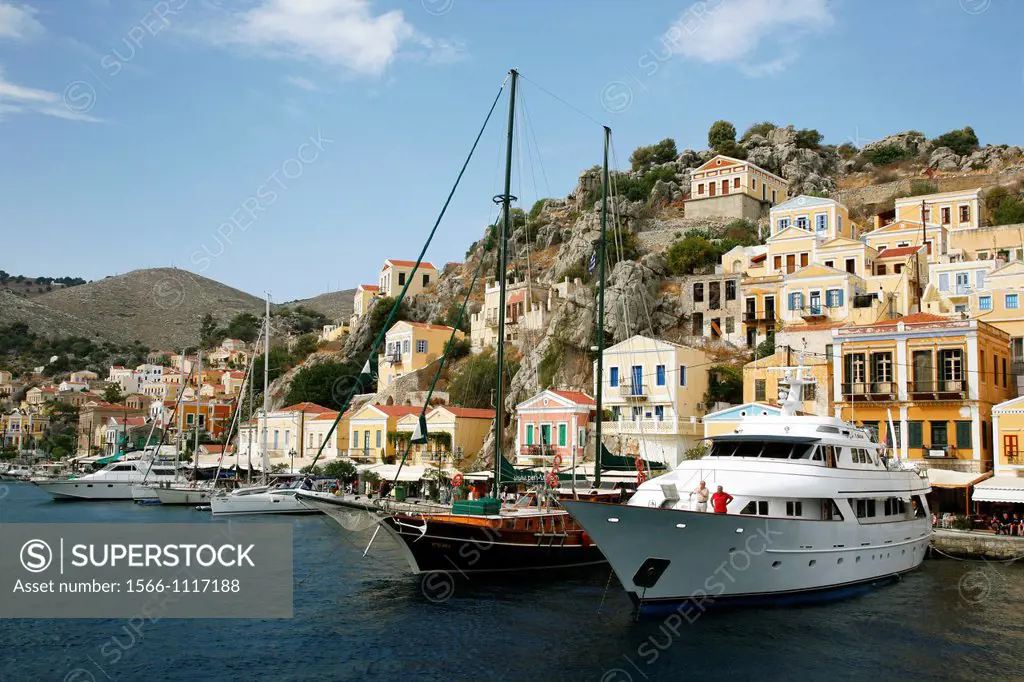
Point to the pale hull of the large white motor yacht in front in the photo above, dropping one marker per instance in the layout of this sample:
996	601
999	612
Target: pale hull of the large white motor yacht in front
673	558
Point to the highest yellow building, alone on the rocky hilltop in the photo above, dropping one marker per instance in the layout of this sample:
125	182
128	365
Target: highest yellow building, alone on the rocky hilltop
731	188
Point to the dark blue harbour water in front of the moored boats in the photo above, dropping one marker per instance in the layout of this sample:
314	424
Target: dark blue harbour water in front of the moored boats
362	618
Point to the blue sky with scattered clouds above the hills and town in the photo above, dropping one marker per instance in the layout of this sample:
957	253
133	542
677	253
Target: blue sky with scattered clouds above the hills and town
322	137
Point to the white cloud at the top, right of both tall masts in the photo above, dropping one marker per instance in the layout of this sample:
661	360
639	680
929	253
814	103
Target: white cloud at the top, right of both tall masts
733	31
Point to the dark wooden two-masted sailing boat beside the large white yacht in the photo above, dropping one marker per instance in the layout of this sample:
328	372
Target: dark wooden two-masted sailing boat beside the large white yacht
481	537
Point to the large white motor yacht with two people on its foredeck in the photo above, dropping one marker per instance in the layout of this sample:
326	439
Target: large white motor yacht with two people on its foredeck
817	511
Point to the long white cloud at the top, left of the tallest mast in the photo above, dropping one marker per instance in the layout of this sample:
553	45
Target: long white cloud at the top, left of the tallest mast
339	33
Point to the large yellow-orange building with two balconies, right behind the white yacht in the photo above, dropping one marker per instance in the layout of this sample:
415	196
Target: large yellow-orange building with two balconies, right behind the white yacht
938	378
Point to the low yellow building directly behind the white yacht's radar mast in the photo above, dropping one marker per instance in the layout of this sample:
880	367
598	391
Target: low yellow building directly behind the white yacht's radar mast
764	378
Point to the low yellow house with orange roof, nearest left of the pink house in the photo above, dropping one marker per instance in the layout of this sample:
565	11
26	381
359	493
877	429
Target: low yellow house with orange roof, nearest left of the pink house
455	436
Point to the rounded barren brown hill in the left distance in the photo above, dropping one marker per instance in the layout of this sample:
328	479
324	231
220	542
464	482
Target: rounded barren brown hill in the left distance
160	308
